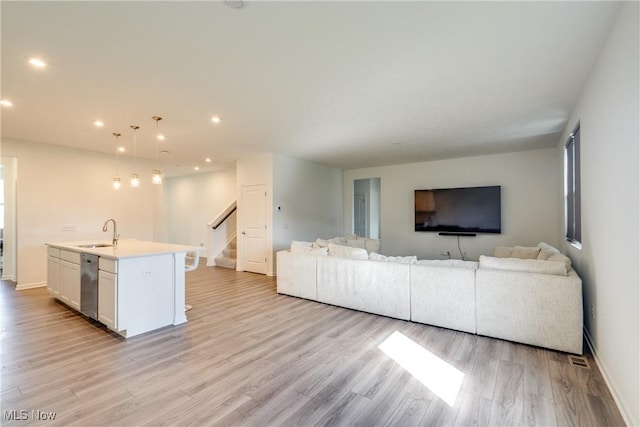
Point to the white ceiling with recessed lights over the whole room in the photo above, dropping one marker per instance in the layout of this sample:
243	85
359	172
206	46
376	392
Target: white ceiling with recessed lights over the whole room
346	84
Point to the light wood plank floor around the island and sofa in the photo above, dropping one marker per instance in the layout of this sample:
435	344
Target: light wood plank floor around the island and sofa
249	356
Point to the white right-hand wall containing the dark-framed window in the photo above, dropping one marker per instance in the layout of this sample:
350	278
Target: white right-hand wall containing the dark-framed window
608	113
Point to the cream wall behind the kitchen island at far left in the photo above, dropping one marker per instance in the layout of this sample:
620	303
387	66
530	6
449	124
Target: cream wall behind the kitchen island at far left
65	195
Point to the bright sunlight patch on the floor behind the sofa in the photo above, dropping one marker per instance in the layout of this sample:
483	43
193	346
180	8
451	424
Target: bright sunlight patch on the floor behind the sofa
439	376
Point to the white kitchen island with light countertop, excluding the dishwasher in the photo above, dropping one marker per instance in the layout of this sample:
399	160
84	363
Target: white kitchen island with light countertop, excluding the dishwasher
140	284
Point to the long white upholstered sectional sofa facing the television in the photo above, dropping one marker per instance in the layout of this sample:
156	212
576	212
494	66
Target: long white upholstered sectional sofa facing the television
527	301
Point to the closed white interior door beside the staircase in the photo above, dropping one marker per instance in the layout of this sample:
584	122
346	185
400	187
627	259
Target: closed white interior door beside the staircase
254	224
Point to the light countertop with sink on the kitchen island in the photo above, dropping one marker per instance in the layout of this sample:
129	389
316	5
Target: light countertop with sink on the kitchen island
126	248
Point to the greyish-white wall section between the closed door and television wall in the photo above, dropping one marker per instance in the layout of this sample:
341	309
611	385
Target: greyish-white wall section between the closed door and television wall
307	201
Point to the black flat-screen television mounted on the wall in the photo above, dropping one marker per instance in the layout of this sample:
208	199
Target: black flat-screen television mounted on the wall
459	210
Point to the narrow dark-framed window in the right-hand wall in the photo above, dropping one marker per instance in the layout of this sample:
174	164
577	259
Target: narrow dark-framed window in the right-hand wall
572	188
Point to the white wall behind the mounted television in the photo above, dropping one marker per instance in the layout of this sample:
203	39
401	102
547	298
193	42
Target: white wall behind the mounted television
529	181
